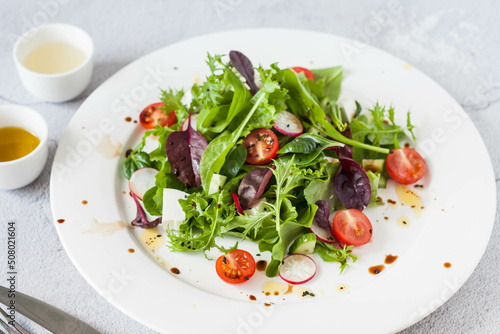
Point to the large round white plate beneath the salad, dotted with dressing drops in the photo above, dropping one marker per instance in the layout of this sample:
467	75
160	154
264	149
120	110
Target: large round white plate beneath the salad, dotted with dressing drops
450	228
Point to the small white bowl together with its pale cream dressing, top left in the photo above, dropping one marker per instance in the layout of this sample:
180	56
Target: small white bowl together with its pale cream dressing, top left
54	61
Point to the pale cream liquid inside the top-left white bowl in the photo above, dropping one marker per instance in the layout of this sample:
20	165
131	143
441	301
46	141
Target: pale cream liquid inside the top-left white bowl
54	58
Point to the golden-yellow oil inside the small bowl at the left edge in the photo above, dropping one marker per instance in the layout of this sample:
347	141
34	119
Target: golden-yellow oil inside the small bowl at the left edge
15	143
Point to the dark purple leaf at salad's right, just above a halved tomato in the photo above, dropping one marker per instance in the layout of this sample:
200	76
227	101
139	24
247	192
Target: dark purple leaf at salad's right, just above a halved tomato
352	185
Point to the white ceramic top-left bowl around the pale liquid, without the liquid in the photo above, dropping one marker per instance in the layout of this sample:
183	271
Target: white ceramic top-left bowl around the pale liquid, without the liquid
55	87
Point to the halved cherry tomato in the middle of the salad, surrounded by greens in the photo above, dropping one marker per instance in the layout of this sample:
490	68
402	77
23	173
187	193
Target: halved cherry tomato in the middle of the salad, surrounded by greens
262	146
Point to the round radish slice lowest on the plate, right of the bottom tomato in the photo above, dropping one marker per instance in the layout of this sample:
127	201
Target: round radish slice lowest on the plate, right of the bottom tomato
297	269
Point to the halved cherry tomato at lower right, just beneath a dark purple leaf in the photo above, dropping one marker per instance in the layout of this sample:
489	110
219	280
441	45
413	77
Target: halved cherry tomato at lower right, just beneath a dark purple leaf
352	227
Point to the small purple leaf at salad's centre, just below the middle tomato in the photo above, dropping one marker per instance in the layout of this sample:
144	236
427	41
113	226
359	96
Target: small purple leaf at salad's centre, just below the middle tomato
252	186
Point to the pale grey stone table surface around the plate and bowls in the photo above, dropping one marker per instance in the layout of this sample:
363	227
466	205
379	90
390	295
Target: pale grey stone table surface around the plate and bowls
457	43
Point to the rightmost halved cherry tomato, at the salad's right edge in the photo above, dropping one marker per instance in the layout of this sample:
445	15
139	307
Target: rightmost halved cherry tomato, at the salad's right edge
405	165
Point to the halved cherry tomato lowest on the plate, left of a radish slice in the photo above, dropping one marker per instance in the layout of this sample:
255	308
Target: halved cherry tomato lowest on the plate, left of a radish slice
235	267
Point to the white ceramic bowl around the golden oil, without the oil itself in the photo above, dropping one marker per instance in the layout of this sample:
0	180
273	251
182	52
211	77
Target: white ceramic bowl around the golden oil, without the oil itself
20	172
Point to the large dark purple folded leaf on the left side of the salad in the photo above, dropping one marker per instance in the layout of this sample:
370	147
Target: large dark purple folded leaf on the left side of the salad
184	151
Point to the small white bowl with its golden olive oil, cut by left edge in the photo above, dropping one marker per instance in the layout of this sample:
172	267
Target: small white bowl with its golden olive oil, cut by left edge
23	146
